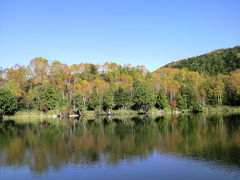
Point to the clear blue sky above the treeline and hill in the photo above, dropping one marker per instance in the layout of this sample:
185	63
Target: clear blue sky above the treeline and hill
149	32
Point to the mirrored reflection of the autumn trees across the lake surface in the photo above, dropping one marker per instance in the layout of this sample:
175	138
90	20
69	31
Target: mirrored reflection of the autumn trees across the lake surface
213	137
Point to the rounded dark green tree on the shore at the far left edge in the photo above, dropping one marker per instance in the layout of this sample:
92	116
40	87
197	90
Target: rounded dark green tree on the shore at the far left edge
8	102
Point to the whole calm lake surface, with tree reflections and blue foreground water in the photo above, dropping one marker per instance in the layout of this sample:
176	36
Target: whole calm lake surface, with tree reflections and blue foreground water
170	147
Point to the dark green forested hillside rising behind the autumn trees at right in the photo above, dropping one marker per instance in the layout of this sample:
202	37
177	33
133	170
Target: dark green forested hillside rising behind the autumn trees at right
219	61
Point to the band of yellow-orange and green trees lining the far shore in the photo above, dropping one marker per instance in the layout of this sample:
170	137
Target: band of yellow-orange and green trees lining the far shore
43	85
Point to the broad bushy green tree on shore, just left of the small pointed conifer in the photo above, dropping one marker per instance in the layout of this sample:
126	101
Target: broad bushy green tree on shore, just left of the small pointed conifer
144	97
